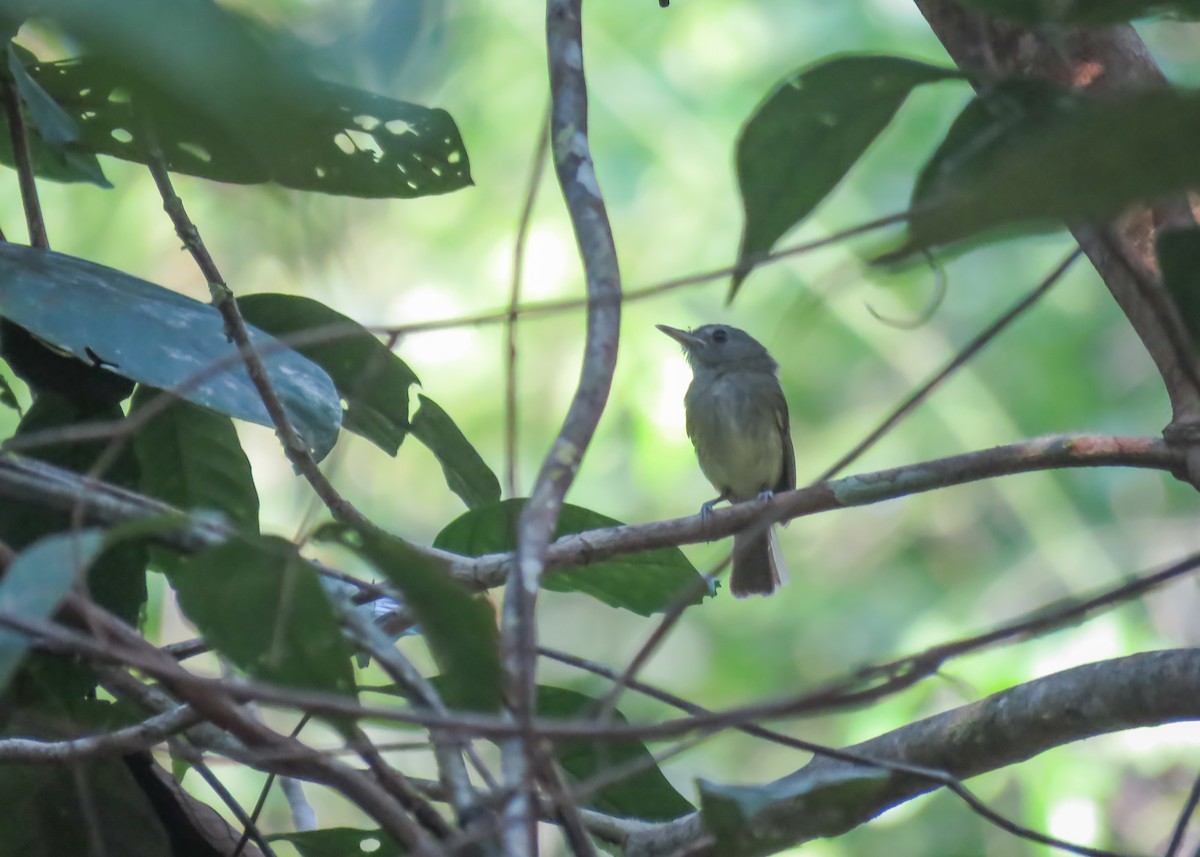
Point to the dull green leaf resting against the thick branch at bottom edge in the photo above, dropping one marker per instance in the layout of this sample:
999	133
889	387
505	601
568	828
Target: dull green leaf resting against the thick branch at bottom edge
830	804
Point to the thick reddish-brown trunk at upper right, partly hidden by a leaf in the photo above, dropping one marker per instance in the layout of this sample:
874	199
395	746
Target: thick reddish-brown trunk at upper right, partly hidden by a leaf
1101	61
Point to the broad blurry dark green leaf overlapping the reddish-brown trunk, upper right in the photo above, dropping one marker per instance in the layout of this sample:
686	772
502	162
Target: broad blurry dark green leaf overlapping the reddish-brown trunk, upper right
1031	155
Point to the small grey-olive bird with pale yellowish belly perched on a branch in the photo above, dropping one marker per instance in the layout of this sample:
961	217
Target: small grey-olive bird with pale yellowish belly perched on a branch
737	421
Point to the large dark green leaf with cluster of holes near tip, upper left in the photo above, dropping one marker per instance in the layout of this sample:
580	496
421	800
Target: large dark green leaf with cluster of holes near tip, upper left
232	101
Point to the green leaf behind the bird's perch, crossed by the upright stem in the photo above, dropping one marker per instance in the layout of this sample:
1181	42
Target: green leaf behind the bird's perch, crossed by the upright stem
645	584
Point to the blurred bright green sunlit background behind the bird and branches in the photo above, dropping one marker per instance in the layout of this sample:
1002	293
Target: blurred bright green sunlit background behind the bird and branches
670	89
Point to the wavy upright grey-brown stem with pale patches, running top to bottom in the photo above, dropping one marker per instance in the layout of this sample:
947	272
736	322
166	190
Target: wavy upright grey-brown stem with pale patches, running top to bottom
590	220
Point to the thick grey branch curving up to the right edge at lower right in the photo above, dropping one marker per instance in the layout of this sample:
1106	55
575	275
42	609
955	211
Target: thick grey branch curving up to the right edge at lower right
1148	690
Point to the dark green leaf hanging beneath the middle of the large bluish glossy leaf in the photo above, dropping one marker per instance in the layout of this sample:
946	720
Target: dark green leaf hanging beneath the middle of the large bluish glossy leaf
190	458
